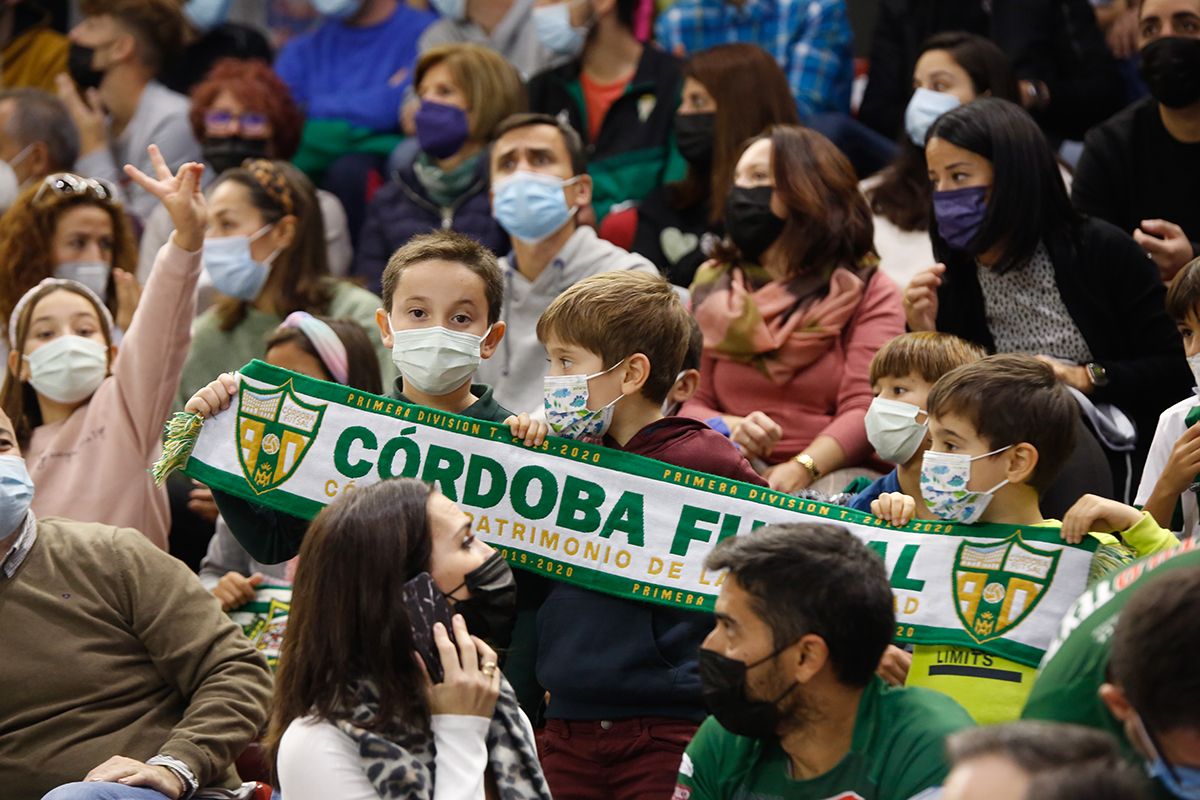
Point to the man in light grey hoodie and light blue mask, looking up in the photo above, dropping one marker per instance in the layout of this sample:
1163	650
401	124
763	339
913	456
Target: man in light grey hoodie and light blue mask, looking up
539	189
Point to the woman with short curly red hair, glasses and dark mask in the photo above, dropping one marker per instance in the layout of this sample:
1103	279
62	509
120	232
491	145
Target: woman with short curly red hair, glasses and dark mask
244	111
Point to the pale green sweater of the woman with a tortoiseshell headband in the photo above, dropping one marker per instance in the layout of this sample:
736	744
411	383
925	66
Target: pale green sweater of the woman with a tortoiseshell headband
215	351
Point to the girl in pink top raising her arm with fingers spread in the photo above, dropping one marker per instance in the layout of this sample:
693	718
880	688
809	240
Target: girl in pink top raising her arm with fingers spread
88	423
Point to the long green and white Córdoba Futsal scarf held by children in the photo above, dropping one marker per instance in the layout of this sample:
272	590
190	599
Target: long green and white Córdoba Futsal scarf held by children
610	521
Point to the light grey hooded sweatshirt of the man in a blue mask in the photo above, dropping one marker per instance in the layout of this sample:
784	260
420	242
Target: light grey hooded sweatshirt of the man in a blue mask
517	369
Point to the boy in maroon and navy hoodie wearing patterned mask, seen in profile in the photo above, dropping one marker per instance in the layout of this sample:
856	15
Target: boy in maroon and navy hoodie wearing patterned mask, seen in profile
622	676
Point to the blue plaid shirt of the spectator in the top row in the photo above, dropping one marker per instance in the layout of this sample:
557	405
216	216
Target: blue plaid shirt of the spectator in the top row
812	41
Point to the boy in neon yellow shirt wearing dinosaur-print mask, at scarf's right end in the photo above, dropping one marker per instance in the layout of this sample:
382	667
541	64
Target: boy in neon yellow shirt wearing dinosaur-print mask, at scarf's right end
1001	430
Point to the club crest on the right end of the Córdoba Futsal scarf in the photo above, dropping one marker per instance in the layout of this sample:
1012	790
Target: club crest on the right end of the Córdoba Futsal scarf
997	585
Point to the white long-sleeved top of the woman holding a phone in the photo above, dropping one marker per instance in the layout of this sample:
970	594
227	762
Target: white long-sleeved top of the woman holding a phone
319	761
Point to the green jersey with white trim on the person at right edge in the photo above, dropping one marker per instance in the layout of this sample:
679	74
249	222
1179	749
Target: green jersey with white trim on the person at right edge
1067	687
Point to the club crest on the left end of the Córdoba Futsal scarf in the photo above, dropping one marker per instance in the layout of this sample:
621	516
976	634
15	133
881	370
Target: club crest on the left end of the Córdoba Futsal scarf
275	430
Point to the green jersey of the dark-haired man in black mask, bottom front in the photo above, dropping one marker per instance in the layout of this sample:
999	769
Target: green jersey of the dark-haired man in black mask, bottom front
897	753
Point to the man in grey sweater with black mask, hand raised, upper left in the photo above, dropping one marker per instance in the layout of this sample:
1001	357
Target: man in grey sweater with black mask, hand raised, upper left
115	100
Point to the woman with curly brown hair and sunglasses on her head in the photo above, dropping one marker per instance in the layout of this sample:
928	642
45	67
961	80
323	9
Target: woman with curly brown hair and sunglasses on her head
69	227
